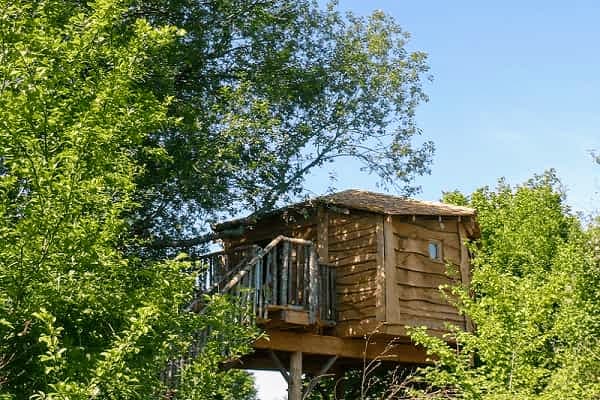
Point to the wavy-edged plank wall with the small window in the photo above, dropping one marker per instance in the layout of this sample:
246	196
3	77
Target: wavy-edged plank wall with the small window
415	298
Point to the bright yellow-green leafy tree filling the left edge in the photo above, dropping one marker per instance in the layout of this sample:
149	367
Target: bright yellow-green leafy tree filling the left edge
78	318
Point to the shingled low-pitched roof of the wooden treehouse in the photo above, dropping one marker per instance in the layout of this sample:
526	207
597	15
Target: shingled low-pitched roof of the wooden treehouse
367	201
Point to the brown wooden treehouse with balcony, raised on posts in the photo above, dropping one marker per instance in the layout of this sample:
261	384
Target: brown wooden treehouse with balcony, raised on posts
322	275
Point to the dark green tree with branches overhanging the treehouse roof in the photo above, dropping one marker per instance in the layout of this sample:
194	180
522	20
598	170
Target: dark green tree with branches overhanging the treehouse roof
267	91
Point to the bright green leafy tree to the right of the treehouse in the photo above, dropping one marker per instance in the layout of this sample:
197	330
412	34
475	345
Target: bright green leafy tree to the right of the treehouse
535	301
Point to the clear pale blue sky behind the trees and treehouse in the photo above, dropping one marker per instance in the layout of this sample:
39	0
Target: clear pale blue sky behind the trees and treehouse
516	91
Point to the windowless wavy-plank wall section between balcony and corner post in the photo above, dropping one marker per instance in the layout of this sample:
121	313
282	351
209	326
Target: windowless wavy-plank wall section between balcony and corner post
353	249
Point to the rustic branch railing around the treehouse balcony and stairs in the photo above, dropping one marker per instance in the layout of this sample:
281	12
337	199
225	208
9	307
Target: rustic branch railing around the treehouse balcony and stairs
284	273
